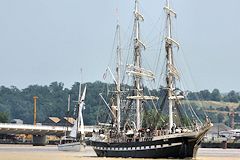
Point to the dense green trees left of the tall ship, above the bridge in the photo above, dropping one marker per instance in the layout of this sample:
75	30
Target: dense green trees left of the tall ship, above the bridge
51	102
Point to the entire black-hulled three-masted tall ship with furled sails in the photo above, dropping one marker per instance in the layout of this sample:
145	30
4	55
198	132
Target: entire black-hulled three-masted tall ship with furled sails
166	130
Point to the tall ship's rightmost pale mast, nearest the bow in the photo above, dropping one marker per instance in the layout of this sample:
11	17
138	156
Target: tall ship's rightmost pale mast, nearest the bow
171	70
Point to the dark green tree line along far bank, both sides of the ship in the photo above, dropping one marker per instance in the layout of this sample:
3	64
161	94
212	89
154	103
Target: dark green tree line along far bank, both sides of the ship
52	101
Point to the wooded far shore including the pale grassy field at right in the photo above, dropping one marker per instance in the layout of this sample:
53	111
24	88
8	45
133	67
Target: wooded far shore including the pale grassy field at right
52	101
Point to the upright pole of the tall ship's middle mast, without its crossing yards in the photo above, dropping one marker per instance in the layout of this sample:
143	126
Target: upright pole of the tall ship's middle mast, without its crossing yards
137	62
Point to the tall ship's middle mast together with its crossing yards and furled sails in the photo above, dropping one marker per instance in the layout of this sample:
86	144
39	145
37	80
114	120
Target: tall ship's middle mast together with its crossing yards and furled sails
136	68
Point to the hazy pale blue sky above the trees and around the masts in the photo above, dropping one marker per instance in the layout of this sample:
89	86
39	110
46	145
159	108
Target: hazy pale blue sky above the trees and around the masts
43	41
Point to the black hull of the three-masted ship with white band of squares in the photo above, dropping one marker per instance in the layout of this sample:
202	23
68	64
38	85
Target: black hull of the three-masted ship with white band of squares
171	146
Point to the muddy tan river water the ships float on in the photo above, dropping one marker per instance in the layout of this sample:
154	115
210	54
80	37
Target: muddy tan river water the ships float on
28	152
